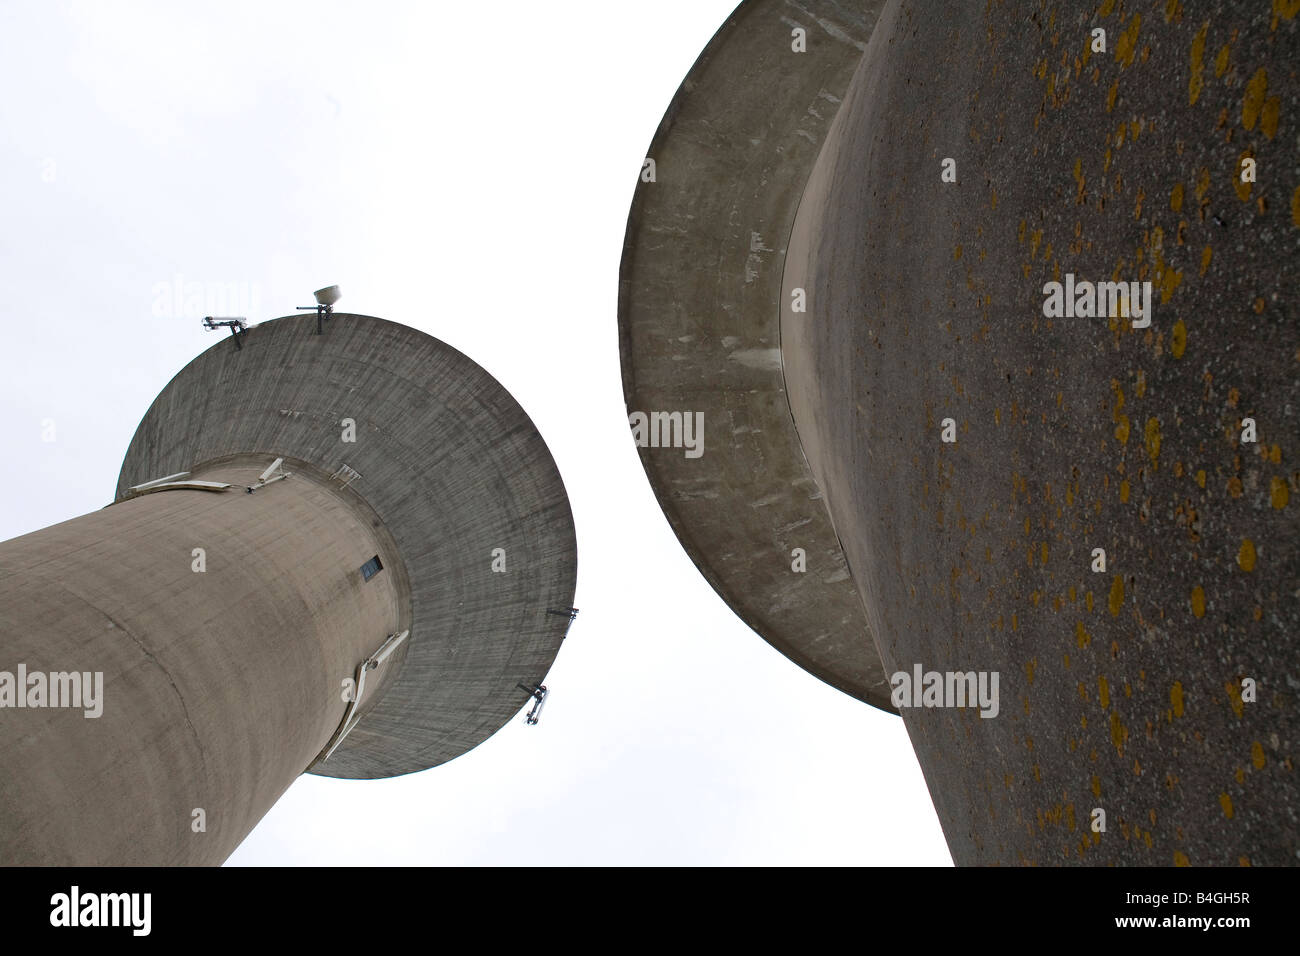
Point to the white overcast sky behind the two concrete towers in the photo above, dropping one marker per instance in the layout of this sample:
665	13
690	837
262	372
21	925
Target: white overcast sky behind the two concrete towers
466	171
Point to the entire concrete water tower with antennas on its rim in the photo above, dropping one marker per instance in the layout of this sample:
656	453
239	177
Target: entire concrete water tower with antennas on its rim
344	617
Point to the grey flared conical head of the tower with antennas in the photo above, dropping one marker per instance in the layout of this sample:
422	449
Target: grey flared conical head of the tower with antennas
454	469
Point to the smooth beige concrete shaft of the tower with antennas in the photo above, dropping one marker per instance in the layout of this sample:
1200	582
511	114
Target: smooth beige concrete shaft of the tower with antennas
219	687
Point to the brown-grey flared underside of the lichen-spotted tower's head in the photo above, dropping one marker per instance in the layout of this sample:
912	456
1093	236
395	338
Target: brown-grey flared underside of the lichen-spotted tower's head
700	308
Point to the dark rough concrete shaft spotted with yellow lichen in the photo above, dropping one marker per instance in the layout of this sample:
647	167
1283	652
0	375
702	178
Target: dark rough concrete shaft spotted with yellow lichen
1120	690
